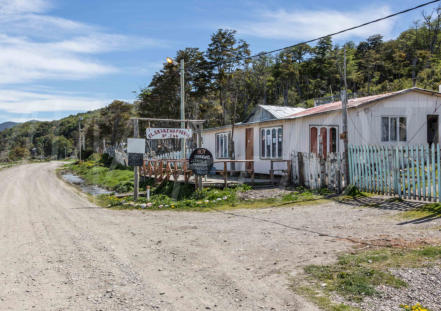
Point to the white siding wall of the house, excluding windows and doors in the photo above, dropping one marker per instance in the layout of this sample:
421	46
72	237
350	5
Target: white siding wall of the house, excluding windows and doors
364	127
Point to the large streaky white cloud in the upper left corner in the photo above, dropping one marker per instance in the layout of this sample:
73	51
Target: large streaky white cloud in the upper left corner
37	46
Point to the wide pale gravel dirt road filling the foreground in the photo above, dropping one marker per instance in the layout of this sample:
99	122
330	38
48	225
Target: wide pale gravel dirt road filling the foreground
60	252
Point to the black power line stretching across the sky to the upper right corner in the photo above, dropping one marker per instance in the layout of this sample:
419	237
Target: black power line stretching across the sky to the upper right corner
338	32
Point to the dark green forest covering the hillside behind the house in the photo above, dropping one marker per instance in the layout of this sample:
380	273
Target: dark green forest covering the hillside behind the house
223	84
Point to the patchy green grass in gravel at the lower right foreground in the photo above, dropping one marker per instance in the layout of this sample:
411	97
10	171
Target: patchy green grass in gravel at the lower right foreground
355	276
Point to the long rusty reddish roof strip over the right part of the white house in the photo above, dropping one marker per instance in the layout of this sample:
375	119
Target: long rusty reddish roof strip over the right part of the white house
352	103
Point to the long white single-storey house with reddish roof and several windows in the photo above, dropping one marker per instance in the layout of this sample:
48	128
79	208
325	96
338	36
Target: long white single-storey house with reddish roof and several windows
409	116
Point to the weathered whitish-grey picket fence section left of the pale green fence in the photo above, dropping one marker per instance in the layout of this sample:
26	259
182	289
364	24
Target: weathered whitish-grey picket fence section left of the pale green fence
316	172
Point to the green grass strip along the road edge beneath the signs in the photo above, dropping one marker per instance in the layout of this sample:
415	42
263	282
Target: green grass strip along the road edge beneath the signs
171	195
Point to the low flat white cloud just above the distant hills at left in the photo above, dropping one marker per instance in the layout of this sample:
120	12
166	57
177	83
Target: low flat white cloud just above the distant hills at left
27	102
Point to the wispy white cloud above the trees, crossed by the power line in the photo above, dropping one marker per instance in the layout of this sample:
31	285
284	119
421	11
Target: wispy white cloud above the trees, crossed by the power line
307	24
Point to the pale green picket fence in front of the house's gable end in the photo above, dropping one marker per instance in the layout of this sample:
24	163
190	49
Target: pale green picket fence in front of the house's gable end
410	172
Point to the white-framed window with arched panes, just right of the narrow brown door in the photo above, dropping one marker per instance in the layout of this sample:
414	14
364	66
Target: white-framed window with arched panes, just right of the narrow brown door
273	145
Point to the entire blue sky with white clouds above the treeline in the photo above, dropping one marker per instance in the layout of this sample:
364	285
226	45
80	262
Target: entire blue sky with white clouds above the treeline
60	57
